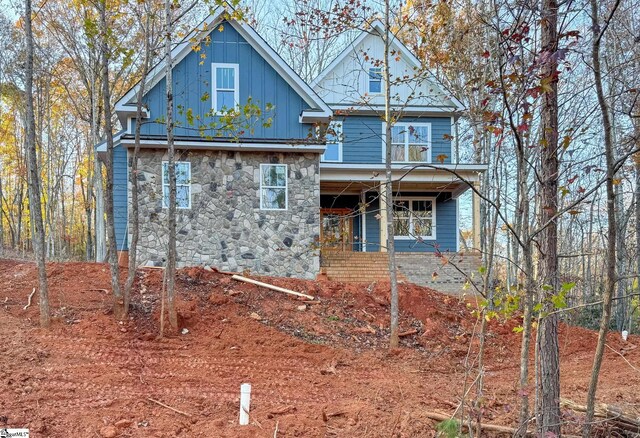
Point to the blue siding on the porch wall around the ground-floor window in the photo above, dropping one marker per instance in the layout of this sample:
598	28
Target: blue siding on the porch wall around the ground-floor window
446	226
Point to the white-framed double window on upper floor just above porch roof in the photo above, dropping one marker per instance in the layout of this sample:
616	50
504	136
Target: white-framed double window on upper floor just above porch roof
411	142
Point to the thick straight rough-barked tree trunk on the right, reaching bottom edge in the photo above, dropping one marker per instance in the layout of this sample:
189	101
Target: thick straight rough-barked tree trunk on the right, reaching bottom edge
549	409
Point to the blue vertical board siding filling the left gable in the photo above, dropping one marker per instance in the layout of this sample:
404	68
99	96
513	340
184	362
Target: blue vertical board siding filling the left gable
257	80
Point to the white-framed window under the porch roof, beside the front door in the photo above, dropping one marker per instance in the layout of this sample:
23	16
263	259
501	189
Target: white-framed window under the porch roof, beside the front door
414	218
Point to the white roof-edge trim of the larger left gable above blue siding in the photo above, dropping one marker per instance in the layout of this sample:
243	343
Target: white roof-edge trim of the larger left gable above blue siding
319	110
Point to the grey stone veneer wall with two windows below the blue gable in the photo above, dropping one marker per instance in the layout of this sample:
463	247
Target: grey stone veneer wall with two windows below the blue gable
225	226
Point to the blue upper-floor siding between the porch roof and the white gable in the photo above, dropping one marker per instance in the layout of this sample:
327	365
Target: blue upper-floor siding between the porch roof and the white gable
362	138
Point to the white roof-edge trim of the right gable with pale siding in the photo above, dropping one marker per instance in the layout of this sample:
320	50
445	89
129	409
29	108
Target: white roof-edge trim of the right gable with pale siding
379	29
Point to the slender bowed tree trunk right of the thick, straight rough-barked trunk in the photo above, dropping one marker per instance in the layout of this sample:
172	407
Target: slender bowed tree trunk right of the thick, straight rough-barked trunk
610	283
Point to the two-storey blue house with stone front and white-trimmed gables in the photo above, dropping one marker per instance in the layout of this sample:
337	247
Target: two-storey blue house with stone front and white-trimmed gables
263	191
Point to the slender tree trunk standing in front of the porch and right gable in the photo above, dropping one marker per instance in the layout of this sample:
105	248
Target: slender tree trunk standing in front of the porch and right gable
388	198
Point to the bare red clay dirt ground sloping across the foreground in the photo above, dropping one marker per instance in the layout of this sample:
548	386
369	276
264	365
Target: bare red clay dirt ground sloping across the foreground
317	370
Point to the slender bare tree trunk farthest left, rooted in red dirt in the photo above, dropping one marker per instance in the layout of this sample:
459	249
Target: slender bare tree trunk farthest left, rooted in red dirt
35	206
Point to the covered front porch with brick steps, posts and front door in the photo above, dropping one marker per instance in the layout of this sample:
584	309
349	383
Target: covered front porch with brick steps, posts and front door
353	226
